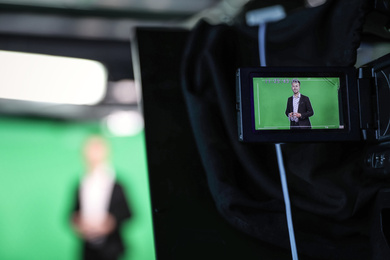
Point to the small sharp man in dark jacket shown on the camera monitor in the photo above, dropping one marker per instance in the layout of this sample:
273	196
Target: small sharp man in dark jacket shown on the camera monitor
299	108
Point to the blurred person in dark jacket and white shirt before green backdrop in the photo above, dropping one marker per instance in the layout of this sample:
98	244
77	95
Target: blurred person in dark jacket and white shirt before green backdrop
100	205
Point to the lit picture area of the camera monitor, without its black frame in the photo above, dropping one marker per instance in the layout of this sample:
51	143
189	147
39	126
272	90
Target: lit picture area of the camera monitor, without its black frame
316	103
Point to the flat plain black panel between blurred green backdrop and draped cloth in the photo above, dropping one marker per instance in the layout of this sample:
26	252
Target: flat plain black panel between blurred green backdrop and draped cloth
187	224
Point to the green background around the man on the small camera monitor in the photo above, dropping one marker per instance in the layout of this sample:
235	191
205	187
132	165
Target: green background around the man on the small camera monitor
270	100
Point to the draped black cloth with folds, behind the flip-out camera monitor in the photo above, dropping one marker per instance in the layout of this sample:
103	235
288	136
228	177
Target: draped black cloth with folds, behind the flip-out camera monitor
331	196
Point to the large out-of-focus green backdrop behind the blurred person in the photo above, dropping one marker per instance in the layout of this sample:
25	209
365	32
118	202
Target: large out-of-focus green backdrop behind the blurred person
39	167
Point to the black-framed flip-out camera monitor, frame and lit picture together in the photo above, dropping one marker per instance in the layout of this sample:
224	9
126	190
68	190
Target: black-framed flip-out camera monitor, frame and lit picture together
297	104
